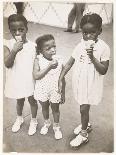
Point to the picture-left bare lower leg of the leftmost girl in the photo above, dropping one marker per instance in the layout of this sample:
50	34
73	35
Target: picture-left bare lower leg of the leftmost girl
19	107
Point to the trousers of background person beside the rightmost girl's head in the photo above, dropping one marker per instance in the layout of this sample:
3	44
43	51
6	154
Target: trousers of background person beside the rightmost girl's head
76	14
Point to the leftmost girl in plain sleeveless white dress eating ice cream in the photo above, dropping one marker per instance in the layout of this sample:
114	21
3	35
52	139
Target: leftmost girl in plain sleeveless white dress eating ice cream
19	55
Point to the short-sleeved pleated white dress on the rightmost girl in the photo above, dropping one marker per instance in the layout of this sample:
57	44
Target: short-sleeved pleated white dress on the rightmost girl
87	82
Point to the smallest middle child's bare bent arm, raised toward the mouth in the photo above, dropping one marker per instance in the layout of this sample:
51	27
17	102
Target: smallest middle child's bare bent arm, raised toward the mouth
39	74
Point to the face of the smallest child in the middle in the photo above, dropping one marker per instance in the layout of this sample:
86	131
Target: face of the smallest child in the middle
49	49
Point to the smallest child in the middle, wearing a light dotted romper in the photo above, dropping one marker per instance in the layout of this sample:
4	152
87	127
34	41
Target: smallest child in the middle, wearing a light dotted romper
47	70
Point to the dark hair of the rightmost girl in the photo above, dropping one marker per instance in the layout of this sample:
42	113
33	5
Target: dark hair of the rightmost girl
94	19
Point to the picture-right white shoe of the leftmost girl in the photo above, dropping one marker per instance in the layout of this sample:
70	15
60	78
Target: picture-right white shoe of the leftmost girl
32	127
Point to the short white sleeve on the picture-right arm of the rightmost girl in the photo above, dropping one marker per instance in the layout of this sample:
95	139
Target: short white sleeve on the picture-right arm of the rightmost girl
106	54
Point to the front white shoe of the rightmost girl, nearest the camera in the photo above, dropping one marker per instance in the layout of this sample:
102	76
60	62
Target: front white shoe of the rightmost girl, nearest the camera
79	140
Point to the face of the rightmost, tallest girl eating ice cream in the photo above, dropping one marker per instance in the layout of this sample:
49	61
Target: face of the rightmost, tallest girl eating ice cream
90	32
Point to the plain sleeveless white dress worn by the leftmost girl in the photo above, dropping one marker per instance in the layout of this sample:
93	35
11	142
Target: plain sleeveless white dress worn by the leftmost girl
19	78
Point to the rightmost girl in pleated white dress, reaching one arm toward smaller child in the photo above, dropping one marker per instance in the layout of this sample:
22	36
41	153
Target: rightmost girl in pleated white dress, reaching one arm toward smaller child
91	60
